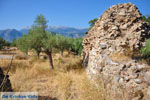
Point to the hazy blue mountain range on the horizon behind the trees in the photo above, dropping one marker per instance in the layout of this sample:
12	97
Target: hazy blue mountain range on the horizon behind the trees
10	34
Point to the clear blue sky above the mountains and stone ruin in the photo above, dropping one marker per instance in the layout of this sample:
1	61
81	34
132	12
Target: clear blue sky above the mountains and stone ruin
74	13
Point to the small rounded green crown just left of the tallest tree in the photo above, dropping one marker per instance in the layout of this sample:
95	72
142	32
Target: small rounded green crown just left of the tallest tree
23	44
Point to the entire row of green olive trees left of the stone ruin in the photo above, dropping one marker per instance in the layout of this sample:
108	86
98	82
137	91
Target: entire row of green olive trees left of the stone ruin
43	41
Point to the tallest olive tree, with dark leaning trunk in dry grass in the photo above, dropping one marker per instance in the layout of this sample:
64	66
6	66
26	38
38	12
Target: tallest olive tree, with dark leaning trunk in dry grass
41	40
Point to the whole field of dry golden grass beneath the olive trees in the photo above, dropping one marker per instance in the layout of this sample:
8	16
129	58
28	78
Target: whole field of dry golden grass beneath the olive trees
68	81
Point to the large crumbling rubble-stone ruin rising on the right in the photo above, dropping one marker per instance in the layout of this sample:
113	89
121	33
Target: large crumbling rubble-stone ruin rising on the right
110	49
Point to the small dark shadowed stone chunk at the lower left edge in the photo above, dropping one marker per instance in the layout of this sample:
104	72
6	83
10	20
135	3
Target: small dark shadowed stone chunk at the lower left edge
5	85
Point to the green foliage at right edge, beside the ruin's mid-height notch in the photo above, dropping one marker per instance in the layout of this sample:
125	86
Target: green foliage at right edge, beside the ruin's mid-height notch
145	51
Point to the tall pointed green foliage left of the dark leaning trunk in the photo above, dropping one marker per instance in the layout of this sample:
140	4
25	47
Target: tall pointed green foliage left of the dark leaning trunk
37	34
